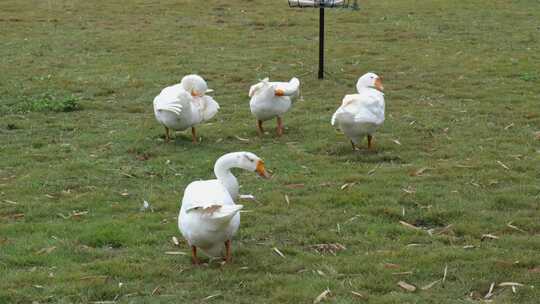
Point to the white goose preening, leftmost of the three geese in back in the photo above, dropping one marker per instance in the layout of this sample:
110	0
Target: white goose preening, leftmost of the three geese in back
185	105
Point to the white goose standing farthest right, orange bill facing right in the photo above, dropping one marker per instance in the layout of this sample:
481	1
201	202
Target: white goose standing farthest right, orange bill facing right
363	113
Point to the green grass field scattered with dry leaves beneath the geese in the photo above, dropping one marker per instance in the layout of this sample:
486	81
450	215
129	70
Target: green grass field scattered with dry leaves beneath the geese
458	157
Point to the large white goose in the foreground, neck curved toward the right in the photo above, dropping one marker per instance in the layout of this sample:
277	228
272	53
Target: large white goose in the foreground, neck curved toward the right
209	217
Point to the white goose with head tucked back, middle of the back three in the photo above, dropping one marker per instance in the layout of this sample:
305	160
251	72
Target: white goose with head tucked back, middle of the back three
272	99
